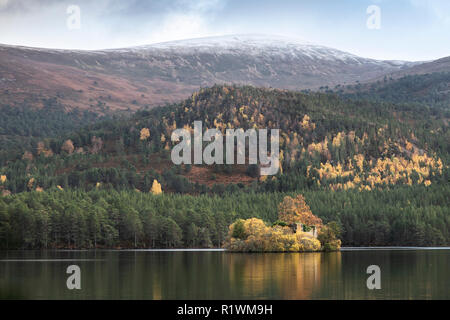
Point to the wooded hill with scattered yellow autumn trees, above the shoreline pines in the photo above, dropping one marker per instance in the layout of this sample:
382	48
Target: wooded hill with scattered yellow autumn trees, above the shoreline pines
326	141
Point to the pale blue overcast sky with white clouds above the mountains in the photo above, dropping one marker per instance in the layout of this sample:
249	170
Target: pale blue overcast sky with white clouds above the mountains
409	29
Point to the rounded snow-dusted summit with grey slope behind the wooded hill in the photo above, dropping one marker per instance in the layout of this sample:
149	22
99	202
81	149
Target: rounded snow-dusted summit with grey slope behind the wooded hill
262	60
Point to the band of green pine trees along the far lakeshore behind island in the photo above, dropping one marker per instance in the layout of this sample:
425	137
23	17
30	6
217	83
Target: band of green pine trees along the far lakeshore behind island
408	216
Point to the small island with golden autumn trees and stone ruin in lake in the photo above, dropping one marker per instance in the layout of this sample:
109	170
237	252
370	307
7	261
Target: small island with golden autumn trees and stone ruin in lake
297	230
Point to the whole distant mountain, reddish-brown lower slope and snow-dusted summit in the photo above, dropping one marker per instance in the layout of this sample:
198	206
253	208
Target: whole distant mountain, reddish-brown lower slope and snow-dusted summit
169	72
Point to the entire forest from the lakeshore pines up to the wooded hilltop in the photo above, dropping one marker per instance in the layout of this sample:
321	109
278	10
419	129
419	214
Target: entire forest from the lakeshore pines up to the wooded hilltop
379	167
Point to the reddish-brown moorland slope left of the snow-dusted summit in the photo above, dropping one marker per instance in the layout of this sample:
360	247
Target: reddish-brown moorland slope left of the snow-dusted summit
80	79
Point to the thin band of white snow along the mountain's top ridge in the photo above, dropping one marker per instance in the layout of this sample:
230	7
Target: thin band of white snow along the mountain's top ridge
256	45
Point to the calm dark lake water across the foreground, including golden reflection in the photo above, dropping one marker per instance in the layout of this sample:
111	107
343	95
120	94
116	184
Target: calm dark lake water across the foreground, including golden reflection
405	274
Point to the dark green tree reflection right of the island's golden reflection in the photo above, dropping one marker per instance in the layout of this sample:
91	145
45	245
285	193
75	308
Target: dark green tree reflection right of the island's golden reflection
405	274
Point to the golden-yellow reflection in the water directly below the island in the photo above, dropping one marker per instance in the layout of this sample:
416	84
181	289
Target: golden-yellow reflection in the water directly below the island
281	275
